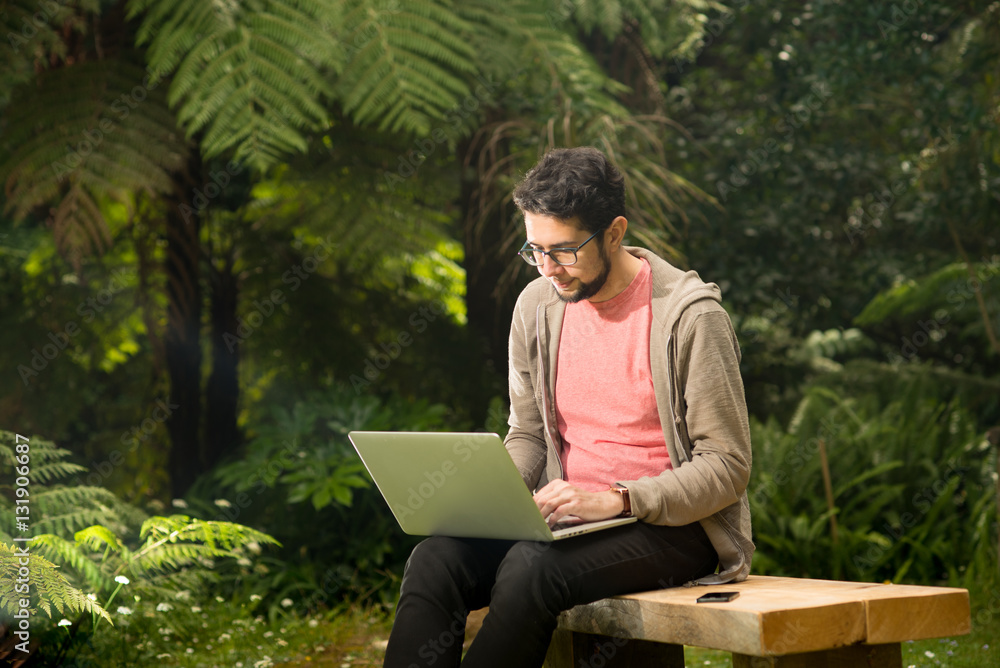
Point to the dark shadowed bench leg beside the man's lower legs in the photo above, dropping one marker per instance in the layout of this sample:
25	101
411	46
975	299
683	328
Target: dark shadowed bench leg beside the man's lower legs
587	650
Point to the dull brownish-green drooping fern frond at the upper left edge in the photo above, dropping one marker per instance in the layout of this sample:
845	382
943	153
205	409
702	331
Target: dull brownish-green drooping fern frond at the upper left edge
84	136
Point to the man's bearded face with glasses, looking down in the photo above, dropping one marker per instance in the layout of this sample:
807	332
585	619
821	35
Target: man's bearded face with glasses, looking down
574	282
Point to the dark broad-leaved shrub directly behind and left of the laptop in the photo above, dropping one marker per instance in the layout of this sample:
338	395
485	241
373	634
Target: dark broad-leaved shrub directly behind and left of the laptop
299	472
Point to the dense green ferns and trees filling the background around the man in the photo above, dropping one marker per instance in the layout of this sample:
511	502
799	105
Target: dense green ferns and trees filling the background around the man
231	233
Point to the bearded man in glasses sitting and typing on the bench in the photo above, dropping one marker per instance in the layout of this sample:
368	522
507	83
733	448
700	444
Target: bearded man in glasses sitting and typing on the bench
626	399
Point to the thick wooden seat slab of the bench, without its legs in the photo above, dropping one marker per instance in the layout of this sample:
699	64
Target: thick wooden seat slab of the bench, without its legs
777	616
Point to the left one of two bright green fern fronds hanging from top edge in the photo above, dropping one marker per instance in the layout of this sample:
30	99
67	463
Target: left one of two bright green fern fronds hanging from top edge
248	77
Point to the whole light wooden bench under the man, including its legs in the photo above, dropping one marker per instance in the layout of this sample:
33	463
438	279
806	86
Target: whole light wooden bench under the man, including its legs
781	622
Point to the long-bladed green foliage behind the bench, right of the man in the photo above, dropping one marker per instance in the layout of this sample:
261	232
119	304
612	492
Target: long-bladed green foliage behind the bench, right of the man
913	492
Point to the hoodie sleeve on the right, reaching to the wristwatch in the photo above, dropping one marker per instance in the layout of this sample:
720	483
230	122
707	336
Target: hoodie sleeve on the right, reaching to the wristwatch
714	417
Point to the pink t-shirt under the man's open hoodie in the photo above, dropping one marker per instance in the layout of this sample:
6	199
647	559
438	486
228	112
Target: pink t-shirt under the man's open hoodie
605	406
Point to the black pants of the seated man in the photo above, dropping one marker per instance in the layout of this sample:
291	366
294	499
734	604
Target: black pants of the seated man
526	585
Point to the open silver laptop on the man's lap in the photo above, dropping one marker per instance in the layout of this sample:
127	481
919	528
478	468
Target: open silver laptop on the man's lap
458	484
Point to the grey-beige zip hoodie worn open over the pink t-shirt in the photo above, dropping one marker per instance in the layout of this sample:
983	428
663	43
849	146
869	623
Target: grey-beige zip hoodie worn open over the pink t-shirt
694	356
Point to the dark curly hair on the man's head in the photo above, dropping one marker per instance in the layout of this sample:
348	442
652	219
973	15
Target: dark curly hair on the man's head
570	182
